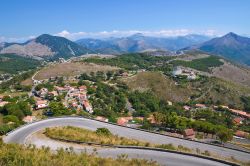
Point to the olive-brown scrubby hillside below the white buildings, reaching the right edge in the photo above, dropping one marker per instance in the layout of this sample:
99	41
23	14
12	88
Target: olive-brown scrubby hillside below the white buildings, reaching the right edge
207	90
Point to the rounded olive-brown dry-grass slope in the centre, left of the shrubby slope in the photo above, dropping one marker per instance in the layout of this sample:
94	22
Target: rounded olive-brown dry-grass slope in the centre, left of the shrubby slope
162	86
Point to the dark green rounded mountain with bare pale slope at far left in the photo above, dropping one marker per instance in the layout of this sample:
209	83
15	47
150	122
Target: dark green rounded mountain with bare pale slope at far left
45	47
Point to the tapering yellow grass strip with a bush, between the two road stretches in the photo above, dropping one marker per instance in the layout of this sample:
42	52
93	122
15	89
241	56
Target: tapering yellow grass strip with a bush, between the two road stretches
105	137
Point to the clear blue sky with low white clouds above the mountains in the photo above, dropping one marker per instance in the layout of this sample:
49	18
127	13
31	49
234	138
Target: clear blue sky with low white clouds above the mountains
24	19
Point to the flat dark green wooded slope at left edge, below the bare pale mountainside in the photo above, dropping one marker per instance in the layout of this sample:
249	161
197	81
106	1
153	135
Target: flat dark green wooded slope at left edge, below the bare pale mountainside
13	64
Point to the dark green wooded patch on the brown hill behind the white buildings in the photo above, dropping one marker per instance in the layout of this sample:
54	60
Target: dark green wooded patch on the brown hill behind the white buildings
202	64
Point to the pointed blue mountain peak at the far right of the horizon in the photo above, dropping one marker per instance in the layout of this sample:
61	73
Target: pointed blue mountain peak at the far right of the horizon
231	46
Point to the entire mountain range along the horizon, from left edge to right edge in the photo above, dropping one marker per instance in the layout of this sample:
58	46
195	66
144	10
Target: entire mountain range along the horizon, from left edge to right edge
230	46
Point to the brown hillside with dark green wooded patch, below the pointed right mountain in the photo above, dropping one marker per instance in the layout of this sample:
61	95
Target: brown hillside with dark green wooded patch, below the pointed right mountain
214	66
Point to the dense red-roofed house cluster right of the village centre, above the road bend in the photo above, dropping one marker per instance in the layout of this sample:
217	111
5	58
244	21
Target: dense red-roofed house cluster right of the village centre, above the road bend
76	98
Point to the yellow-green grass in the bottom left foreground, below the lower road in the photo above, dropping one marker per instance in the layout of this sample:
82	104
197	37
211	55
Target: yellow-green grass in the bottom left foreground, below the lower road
12	154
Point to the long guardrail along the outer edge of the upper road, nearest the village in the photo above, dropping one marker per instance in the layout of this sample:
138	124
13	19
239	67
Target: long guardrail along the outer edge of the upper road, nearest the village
90	118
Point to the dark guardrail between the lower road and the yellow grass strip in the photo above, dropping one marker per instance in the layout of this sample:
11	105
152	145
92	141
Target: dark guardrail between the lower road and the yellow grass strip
147	148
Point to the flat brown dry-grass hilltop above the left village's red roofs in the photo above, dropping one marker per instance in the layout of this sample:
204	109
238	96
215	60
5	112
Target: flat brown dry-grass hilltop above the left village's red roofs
71	69
